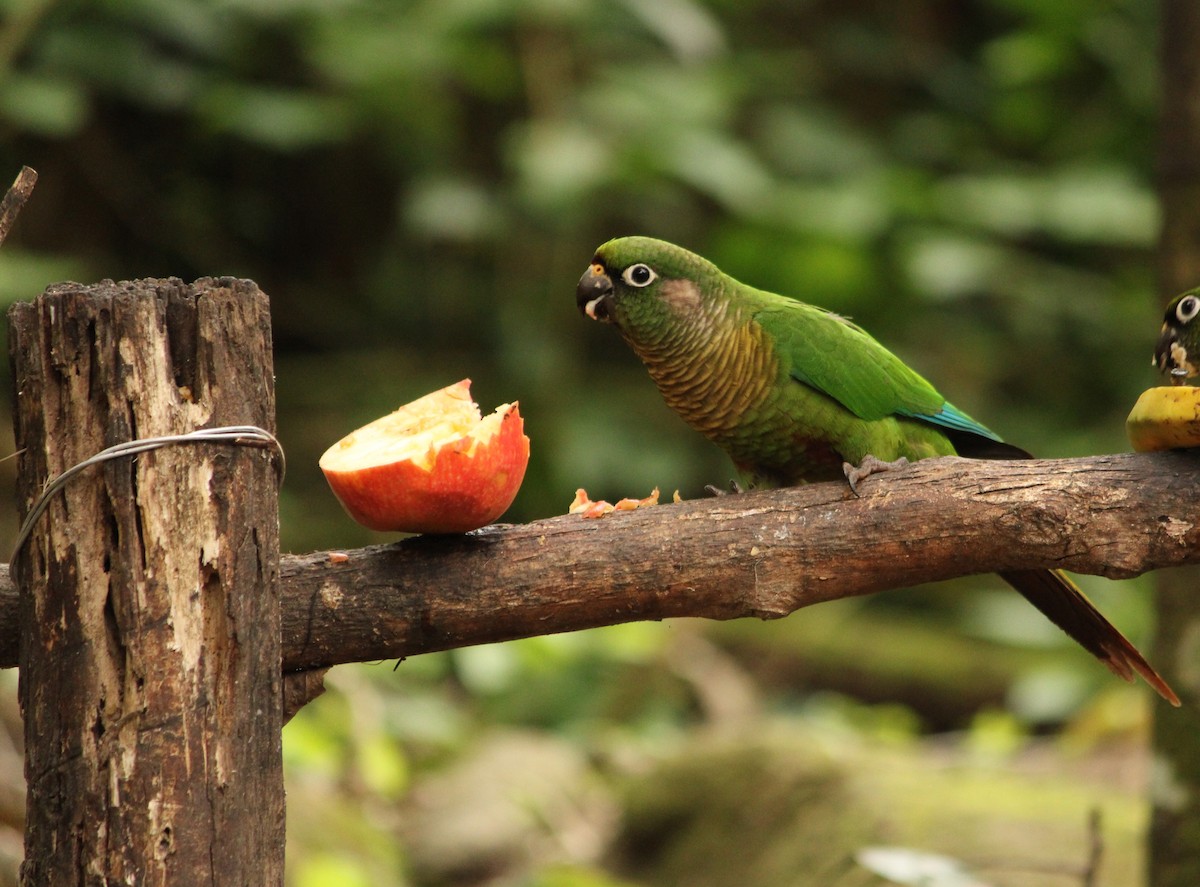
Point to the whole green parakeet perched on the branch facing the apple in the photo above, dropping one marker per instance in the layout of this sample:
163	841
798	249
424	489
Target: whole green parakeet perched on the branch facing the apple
799	394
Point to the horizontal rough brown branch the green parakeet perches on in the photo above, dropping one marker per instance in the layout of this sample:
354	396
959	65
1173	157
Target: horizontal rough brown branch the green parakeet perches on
763	555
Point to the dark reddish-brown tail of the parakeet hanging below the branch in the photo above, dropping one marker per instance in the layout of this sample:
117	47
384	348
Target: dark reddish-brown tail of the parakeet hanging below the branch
1069	608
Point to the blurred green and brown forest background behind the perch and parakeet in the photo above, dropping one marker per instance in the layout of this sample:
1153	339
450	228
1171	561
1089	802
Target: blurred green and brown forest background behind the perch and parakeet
418	187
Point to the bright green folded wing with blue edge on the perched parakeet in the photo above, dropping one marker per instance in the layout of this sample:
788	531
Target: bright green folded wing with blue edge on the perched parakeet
838	358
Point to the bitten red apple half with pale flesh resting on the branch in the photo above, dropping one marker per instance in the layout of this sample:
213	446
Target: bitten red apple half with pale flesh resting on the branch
434	466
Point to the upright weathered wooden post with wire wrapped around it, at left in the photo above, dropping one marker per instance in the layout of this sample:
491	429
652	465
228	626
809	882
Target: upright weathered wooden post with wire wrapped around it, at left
151	676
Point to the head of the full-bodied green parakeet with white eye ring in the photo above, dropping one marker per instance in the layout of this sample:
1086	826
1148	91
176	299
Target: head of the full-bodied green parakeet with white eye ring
644	286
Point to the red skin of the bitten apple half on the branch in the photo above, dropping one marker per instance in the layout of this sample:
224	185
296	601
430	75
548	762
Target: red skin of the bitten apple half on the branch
460	494
